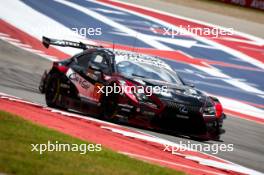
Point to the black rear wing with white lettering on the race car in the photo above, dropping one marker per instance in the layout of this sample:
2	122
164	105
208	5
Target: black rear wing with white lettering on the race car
65	43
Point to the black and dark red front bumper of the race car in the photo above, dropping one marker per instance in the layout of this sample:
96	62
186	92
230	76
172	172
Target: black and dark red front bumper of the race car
171	119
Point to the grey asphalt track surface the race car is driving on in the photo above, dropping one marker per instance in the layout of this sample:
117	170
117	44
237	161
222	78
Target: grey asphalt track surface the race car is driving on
20	73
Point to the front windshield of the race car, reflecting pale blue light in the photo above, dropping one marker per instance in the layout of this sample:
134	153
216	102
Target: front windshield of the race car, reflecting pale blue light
147	71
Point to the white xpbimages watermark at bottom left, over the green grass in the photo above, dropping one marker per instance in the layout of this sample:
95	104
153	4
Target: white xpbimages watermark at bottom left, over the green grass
65	147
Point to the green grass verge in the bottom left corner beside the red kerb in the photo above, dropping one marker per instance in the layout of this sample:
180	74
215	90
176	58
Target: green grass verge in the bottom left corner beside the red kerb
16	157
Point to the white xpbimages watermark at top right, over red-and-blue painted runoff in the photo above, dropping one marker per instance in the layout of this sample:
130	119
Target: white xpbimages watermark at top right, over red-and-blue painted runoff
205	31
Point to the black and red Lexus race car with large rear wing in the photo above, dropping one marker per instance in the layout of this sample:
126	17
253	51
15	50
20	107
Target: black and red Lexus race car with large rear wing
87	83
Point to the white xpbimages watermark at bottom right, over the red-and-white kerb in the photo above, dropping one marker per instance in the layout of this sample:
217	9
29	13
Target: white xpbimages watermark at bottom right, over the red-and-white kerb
201	147
